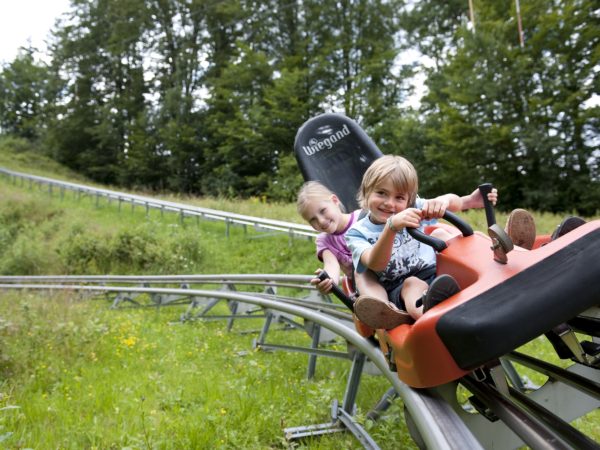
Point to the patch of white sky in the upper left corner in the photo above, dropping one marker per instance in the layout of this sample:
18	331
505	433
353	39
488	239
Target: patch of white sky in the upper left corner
22	21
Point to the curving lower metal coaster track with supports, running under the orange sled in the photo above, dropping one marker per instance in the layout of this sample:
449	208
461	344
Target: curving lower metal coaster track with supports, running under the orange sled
509	415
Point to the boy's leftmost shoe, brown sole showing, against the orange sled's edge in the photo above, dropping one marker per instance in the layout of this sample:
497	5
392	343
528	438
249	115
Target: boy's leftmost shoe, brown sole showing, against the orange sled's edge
378	313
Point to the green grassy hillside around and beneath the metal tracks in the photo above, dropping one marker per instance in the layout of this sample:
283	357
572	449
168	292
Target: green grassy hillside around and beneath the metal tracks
76	374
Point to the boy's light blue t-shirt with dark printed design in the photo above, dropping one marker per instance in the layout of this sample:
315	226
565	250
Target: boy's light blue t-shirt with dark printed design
409	256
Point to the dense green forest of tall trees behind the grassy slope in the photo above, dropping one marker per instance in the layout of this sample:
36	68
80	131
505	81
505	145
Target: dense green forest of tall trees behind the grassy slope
204	97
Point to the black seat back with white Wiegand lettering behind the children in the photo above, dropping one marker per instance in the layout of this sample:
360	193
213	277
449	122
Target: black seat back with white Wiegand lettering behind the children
333	149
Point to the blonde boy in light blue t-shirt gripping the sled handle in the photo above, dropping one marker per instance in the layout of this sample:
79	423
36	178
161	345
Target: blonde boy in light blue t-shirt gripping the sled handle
380	243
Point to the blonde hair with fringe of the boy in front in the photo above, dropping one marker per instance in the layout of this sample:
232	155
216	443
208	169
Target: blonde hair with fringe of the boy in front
398	169
